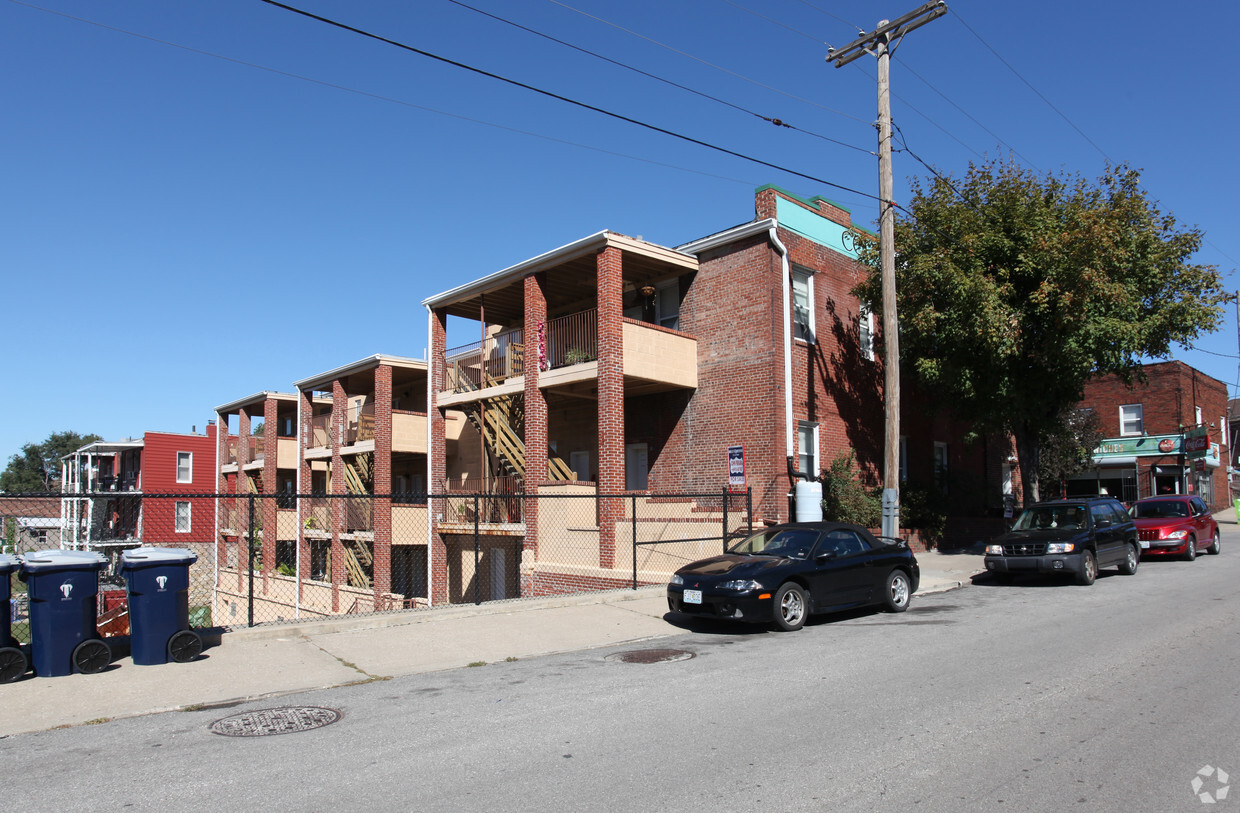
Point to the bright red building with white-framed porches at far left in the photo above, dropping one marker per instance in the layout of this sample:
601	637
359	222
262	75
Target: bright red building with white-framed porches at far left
126	494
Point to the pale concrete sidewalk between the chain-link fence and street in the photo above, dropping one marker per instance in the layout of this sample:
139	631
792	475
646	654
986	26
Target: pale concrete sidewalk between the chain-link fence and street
271	661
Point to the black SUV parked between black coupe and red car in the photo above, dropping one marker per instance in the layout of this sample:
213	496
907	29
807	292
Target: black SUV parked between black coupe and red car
1071	537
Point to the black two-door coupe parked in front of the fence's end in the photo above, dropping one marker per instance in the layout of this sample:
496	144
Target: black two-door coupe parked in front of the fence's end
784	574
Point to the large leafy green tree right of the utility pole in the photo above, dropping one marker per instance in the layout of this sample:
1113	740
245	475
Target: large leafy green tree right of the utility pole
1016	289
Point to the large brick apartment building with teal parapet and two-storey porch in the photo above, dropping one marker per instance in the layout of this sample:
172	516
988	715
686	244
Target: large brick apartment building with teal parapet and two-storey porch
614	366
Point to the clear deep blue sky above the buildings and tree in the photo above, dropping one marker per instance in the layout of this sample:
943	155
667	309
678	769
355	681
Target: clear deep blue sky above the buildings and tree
203	200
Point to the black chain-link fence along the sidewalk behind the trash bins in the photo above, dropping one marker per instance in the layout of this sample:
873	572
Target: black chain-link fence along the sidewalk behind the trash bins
268	558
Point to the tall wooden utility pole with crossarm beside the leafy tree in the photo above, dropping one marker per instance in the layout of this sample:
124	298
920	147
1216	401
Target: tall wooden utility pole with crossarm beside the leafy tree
882	43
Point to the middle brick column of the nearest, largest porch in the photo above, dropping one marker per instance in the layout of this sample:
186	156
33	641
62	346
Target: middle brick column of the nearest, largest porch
536	431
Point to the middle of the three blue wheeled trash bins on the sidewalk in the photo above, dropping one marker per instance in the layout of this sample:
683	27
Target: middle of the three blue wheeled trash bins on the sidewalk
64	588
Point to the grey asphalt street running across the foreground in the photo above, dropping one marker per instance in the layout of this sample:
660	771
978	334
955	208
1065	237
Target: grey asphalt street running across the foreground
1032	697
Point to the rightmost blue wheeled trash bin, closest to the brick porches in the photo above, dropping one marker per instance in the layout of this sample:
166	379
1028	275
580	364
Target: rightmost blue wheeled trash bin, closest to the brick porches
158	581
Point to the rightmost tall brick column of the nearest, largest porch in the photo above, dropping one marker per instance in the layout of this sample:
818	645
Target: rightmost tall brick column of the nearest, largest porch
611	401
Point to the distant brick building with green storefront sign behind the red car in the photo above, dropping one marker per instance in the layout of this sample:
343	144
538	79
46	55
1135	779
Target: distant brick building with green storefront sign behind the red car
1165	436
